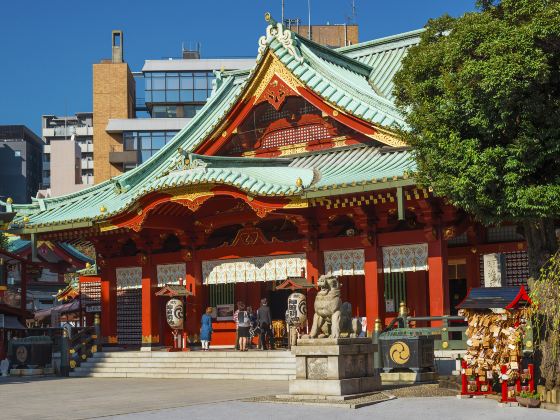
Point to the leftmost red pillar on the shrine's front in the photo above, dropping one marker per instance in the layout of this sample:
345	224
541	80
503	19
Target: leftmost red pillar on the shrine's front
109	304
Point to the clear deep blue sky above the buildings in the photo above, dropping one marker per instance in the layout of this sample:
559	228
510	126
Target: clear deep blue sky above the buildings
47	48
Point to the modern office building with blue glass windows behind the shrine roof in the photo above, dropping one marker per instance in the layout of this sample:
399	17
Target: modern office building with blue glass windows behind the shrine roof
168	94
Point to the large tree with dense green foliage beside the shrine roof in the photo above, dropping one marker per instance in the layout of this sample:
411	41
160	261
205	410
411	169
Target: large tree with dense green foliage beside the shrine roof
482	99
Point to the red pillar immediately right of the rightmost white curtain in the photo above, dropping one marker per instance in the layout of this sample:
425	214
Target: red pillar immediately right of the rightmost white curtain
438	280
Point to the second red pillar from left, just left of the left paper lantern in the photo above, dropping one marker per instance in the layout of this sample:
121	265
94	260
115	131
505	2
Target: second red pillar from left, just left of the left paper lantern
150	324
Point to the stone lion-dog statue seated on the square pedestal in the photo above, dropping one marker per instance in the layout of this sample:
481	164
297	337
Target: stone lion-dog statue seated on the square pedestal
332	318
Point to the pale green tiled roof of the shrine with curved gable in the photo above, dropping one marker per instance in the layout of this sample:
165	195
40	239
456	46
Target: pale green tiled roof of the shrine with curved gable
335	76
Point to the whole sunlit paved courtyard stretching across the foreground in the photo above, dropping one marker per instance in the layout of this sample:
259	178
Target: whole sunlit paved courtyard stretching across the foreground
155	399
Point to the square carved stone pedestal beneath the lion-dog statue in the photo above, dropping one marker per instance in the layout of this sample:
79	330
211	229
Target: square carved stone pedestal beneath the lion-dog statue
334	366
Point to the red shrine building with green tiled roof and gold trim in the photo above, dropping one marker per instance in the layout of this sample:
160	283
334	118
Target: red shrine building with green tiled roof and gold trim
291	170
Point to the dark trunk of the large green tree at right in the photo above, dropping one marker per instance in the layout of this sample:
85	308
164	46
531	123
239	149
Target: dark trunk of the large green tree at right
541	243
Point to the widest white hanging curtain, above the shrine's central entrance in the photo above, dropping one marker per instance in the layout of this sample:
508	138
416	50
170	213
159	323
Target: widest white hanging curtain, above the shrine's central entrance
253	269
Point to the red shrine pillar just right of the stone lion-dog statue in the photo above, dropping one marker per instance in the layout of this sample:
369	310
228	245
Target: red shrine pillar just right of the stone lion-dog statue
374	286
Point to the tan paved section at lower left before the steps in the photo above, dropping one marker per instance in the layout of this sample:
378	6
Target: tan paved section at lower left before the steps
83	398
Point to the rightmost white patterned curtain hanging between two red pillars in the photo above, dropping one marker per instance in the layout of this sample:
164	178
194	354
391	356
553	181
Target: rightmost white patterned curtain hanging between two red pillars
398	259
